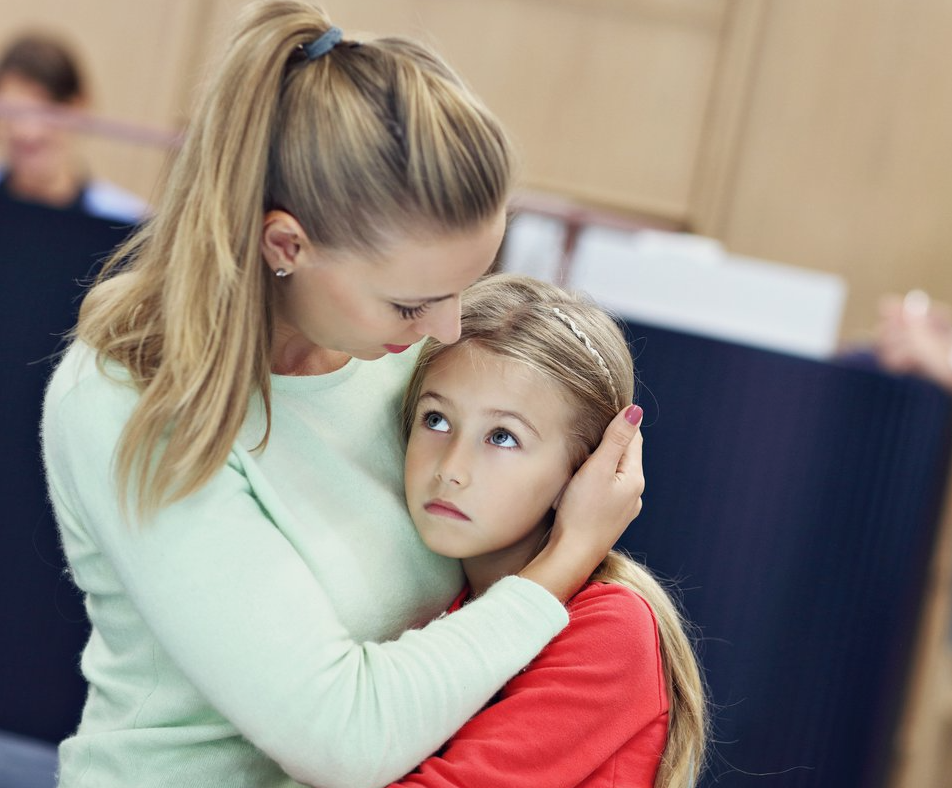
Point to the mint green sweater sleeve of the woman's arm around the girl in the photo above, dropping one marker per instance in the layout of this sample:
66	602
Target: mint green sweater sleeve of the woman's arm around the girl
233	605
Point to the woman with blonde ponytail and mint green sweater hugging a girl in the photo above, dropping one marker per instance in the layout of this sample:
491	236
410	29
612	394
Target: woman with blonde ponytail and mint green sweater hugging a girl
221	443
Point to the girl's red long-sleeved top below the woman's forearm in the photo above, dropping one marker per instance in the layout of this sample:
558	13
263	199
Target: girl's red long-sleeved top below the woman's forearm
588	694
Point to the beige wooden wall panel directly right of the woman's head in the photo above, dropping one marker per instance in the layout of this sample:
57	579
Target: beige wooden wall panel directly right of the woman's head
606	100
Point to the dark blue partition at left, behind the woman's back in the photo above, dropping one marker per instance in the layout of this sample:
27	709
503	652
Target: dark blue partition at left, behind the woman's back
44	255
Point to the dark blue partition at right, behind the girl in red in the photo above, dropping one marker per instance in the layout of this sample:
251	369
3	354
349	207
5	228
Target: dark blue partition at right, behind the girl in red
796	503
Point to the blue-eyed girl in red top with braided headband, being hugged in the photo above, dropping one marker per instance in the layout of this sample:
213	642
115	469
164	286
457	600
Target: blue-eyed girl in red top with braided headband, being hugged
496	425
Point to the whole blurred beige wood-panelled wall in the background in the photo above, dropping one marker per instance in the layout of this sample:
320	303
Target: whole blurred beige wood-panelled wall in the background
812	132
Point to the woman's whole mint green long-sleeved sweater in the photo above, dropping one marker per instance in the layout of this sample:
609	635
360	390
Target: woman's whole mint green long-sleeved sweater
253	634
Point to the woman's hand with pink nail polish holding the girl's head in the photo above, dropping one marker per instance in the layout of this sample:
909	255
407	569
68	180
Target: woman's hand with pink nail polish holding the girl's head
599	502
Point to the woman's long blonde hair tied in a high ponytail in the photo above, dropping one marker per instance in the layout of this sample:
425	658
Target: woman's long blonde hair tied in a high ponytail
369	142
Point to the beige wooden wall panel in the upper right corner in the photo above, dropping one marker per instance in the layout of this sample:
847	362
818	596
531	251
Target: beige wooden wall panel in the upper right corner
844	158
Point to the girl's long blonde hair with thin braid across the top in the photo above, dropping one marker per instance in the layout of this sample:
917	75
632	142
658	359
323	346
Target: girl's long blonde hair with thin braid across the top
581	349
